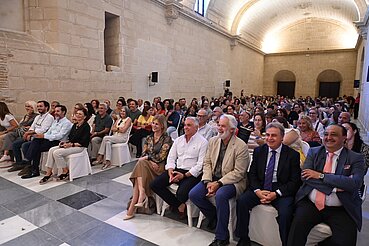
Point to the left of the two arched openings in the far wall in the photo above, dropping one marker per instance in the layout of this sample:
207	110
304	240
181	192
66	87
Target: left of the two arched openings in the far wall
285	82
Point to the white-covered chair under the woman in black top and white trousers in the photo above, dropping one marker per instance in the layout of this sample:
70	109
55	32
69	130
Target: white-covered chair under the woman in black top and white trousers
79	165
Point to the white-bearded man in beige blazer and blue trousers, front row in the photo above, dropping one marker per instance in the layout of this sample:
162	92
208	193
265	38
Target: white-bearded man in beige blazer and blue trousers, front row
225	165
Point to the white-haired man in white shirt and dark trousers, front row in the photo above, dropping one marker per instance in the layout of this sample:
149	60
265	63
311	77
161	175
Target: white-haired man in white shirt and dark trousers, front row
184	166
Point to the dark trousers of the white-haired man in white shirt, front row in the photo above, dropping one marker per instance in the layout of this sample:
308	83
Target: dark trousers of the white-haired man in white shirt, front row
160	184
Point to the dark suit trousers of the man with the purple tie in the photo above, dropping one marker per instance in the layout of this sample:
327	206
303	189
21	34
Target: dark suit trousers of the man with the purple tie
248	200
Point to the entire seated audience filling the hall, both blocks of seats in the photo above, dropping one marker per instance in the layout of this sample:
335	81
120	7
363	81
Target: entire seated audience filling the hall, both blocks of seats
211	155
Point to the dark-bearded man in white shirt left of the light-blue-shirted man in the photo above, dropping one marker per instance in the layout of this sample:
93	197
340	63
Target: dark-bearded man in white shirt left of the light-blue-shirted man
40	125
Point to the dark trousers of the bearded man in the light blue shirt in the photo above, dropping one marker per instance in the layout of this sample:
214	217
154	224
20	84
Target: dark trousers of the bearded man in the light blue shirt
33	154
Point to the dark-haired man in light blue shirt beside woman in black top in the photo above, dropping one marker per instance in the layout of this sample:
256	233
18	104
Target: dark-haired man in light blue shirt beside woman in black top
58	132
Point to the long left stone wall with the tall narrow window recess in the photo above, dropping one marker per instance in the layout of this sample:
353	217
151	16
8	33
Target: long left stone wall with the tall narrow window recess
61	56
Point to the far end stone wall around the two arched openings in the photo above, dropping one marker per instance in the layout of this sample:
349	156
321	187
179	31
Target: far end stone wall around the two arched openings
307	67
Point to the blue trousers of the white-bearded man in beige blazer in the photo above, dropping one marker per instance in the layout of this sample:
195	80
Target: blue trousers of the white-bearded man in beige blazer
220	212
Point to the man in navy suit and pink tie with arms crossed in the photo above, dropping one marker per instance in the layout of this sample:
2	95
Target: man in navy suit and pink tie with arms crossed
332	176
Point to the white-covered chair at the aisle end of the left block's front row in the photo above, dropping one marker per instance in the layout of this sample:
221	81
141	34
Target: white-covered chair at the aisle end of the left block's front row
120	153
